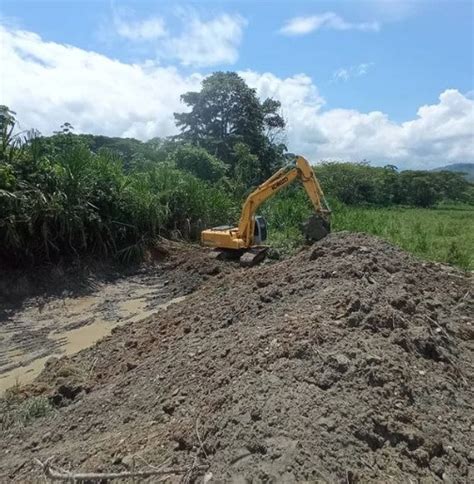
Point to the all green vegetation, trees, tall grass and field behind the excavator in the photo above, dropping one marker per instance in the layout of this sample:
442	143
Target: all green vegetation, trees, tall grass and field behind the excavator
67	195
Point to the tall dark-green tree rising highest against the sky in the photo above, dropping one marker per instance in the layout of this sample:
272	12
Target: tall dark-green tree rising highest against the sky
225	112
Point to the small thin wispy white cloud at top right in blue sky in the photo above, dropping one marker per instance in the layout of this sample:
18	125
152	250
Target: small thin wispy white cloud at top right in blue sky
327	20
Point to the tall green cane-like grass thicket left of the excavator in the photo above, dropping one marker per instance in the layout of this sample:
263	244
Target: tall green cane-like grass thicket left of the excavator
69	201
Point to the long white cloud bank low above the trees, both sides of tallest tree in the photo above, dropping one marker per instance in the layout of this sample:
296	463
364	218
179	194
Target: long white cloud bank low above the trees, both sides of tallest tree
48	83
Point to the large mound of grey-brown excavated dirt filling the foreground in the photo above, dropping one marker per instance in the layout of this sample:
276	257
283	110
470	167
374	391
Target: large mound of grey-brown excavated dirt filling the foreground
349	362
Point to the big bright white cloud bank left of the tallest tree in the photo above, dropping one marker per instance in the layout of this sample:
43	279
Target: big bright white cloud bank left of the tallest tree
48	83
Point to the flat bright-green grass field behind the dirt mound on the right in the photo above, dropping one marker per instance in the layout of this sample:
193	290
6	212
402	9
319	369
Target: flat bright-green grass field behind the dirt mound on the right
443	235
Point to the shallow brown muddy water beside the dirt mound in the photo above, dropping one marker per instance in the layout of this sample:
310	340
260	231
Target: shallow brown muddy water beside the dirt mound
64	326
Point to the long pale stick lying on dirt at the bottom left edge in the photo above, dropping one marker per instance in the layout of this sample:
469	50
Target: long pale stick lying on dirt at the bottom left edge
57	474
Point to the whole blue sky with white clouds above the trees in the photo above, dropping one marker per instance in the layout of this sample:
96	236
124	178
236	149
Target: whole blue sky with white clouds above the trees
387	81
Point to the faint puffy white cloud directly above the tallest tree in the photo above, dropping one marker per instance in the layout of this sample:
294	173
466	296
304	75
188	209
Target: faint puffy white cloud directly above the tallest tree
207	43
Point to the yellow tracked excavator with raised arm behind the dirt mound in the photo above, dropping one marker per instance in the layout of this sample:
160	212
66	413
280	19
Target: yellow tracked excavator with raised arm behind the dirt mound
246	240
